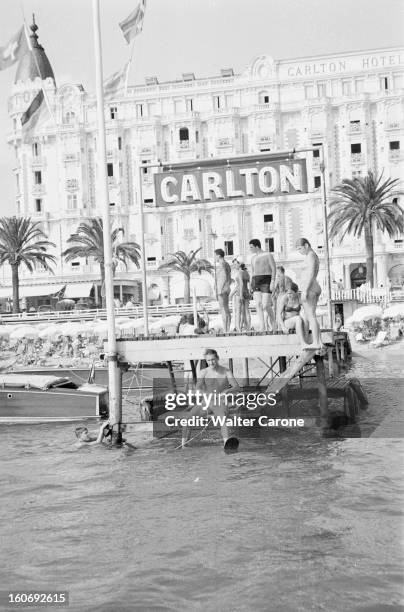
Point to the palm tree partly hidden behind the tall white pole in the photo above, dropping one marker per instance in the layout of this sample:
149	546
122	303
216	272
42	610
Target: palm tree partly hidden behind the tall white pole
88	241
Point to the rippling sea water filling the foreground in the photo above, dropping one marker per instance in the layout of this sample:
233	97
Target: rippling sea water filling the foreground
293	522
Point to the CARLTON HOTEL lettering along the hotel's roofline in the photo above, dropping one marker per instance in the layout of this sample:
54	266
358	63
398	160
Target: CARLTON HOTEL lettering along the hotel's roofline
345	65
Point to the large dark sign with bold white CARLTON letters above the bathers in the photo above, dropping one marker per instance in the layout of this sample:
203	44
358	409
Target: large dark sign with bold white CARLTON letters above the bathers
255	179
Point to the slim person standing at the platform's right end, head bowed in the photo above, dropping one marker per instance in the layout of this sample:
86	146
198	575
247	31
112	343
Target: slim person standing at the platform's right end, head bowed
310	290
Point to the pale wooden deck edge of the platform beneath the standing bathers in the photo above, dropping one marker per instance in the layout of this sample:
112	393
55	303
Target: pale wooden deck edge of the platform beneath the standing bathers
228	346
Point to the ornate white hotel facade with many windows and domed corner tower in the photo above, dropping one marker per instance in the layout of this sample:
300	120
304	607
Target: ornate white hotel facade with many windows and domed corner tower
352	103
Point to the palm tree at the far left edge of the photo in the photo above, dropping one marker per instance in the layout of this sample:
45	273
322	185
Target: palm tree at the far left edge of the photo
22	241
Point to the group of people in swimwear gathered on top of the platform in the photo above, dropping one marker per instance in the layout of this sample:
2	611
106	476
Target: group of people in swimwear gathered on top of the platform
280	304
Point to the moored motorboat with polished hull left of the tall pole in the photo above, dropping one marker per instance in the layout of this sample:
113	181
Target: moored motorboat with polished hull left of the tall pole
33	398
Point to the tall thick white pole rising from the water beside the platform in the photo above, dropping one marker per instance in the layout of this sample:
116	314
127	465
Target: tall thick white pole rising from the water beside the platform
115	403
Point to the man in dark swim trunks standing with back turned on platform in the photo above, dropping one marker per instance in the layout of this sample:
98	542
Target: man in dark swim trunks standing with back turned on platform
262	284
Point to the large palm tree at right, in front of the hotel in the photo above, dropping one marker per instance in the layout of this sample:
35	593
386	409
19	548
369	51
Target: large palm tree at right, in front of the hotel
362	204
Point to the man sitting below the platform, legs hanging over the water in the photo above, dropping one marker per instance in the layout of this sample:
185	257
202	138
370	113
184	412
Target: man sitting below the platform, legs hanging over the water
215	381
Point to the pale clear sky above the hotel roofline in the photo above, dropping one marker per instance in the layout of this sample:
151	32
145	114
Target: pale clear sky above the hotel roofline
200	36
